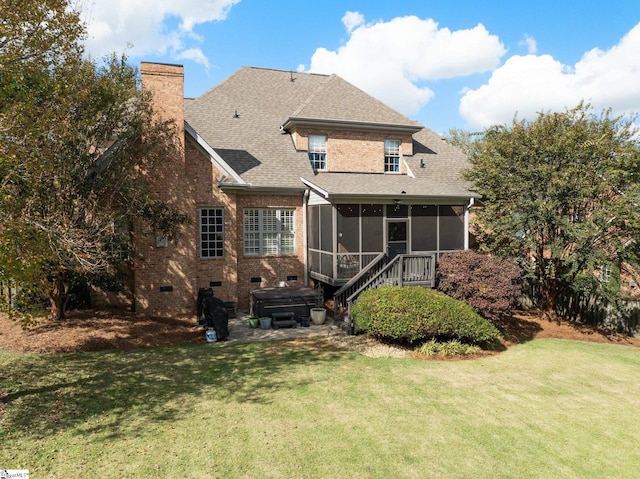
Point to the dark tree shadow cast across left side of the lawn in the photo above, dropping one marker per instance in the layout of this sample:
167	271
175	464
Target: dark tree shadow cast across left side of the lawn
100	392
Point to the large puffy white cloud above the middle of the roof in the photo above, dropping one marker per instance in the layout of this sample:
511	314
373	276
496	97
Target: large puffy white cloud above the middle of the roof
390	60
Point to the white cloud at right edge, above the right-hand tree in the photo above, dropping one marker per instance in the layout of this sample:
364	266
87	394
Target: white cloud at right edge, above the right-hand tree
531	84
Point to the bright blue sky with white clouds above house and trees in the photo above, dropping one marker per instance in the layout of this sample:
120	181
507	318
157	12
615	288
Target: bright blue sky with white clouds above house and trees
447	64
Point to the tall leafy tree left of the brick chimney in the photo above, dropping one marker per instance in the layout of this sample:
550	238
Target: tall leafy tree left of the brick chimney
79	144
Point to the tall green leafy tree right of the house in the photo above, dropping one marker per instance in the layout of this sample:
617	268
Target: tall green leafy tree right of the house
562	192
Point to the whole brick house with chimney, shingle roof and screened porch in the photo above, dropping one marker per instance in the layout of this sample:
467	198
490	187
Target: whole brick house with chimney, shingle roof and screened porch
292	177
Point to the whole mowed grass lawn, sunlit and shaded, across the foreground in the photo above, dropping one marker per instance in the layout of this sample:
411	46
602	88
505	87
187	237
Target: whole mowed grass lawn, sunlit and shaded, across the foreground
547	408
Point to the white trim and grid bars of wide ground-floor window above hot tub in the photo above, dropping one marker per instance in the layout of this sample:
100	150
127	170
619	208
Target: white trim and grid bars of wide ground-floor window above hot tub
261	232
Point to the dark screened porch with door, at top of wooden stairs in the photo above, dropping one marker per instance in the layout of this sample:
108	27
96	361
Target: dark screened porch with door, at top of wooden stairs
344	238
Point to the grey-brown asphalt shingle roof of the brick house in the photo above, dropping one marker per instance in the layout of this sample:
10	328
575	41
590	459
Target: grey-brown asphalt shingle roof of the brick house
241	117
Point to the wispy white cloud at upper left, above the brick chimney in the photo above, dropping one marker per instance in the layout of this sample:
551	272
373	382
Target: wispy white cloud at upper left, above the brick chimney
143	27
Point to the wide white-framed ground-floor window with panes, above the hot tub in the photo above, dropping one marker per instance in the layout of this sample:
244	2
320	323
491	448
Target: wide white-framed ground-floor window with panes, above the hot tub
269	231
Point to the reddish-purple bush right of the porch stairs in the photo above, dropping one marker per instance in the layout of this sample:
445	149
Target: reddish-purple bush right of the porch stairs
489	284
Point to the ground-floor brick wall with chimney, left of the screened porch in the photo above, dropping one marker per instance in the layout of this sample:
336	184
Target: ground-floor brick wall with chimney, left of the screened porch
189	181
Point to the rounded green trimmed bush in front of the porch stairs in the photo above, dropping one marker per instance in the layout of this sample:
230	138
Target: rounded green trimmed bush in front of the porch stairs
414	313
